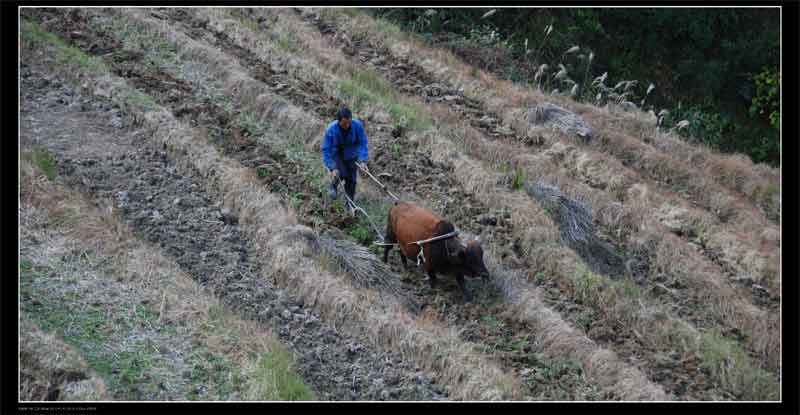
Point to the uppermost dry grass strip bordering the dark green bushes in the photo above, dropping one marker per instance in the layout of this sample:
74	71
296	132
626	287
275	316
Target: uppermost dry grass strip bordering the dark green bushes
631	136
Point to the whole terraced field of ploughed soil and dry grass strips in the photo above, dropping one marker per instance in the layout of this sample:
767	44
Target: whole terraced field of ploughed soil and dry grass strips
178	244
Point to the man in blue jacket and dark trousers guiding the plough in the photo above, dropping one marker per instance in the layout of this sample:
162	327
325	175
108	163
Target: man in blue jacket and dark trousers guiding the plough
344	150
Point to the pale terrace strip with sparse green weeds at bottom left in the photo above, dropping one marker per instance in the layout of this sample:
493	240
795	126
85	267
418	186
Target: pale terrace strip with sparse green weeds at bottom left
124	342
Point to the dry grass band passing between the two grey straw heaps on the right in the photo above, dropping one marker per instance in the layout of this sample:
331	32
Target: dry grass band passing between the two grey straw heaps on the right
753	254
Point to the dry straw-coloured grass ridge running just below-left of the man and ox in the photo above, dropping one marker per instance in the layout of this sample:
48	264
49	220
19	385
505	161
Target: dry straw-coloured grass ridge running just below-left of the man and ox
466	375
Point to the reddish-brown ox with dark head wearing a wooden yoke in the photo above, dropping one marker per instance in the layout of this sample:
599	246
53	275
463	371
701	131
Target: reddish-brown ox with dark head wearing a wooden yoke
409	223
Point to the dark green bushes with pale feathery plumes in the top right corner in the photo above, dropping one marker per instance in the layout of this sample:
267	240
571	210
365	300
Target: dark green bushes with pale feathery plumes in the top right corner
724	82
